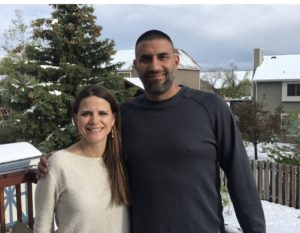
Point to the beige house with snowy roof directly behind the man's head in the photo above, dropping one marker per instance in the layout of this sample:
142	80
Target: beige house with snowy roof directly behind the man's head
187	74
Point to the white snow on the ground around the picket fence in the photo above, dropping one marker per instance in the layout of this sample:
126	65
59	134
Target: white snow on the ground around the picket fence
279	218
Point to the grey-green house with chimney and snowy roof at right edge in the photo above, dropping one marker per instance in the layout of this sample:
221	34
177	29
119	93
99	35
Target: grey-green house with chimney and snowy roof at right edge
276	81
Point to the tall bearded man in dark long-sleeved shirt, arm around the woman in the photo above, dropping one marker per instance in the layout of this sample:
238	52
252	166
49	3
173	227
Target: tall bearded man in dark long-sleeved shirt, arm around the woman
174	141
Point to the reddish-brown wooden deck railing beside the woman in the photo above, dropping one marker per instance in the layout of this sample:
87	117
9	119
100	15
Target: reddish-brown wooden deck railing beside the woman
16	178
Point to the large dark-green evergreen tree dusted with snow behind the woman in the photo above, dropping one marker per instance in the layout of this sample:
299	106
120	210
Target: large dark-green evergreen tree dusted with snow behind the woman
69	55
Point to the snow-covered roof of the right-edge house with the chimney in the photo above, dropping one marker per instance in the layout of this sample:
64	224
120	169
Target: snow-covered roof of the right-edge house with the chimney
278	68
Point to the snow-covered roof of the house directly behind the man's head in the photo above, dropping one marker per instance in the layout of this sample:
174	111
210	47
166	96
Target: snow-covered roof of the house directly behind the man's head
127	56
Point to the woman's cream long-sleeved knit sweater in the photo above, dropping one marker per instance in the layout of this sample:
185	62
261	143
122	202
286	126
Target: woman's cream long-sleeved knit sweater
76	191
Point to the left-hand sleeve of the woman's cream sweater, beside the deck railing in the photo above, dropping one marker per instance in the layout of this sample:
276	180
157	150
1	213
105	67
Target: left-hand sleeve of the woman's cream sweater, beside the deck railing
45	201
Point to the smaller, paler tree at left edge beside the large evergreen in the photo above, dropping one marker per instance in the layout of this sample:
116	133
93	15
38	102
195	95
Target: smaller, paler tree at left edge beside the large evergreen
13	95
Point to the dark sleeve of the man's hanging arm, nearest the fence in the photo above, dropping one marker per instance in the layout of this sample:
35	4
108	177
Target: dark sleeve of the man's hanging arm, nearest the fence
234	161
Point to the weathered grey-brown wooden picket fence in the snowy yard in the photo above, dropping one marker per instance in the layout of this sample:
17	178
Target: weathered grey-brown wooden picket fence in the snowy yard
278	183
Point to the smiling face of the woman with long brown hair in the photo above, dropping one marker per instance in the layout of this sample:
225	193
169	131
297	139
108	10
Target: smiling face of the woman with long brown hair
94	120
